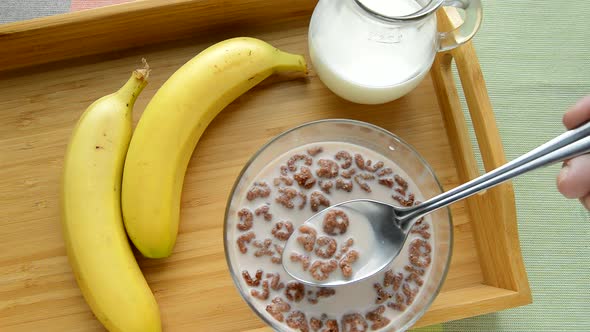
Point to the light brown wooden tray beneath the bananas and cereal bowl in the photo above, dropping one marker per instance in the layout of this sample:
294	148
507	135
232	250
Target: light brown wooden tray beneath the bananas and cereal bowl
45	86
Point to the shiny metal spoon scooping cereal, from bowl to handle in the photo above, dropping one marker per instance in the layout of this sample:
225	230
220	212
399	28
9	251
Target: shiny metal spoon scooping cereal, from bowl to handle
390	224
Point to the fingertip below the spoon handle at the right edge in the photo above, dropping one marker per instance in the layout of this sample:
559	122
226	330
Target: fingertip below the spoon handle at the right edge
574	178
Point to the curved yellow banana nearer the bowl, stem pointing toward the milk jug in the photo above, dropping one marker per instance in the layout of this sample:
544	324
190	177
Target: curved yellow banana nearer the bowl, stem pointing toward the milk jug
171	126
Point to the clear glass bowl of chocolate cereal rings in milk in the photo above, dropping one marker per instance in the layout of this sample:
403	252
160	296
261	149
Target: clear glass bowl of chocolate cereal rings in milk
303	171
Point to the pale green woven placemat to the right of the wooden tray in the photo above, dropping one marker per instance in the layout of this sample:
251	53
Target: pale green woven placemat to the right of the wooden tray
535	56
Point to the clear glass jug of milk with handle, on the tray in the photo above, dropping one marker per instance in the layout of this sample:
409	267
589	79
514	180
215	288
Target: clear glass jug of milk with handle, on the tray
376	51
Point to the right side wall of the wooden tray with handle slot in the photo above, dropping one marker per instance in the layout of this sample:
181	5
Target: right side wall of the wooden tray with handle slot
497	240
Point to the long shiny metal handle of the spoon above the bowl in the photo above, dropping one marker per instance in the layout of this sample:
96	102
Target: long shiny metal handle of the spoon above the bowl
568	145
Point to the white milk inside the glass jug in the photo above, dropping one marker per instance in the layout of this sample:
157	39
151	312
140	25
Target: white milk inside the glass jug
368	62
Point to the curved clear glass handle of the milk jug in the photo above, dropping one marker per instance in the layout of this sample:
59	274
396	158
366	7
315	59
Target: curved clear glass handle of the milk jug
463	33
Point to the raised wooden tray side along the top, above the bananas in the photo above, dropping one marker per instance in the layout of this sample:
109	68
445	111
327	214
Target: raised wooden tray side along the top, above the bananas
138	23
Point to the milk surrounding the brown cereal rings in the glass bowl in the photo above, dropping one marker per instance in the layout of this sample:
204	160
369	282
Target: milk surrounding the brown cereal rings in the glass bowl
356	297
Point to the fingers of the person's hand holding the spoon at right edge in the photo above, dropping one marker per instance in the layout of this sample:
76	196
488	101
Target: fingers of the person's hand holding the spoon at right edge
574	178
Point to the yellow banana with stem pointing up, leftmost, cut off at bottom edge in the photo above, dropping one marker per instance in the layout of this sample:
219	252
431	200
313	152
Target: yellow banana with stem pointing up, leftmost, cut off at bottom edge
97	246
